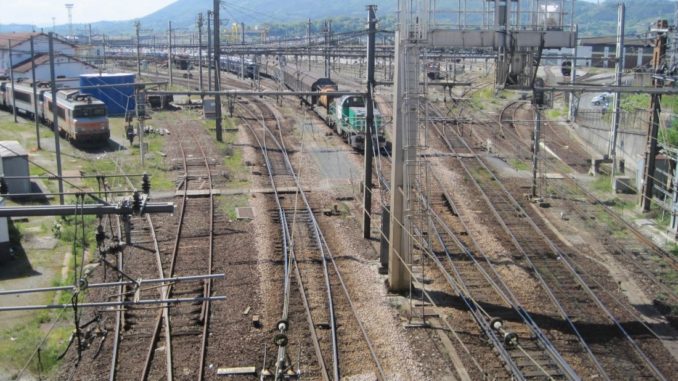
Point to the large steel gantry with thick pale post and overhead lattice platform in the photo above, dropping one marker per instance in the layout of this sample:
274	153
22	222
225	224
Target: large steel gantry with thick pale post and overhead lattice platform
518	30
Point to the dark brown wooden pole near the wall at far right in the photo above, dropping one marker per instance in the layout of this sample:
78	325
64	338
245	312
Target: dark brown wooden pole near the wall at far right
653	128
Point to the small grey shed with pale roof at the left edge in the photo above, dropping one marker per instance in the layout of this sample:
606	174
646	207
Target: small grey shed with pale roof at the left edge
15	163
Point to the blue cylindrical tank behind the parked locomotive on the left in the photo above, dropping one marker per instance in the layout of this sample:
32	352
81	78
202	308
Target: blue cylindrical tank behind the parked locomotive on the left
119	99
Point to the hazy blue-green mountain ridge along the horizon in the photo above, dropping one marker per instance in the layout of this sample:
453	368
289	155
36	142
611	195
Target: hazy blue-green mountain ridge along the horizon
291	15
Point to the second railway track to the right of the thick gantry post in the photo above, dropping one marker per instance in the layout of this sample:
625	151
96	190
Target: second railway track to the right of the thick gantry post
566	289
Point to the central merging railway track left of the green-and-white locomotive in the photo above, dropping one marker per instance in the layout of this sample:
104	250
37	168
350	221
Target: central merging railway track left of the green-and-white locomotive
328	319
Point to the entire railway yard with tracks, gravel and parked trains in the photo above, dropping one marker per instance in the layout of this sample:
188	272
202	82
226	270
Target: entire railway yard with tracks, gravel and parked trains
518	260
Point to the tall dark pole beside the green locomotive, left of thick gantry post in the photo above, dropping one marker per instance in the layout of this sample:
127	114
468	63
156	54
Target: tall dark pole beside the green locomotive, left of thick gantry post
369	121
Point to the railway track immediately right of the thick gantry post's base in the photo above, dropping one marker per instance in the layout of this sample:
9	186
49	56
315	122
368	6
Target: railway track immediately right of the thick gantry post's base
524	350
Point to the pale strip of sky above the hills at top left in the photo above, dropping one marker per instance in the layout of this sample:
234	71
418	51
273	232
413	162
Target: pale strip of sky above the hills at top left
40	12
